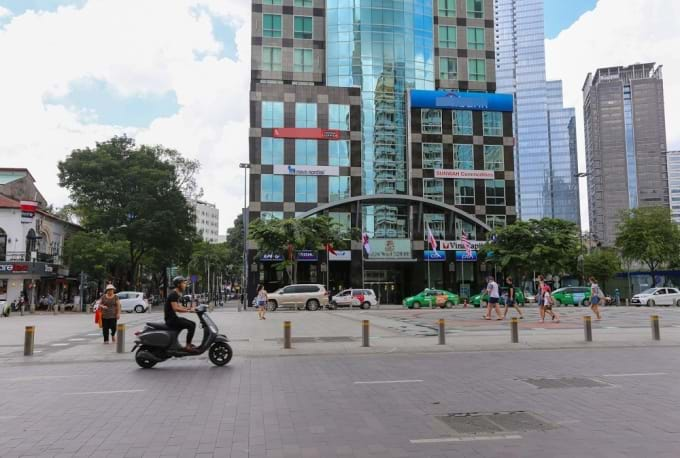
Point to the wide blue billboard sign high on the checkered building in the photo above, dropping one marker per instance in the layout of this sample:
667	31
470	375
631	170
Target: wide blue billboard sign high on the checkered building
456	100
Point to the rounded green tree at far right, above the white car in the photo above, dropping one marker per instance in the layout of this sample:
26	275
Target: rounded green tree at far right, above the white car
648	235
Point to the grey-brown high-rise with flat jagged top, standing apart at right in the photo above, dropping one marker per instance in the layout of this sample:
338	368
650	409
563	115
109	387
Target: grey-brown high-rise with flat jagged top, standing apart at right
625	137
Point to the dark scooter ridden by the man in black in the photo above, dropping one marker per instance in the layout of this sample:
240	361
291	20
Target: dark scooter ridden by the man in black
156	343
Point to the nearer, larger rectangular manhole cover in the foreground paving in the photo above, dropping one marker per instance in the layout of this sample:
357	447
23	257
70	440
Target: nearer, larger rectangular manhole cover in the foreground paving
495	422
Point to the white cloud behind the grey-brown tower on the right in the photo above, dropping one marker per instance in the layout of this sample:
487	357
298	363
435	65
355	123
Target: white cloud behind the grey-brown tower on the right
616	34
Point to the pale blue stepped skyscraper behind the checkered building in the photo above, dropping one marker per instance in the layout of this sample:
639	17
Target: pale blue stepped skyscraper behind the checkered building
545	135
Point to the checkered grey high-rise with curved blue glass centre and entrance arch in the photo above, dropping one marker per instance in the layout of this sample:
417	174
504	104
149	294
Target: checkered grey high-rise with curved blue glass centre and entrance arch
382	115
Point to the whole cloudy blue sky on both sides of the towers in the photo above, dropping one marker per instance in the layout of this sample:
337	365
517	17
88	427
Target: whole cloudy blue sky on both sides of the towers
75	72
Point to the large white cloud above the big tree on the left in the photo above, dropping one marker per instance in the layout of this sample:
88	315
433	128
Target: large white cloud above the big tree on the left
138	47
